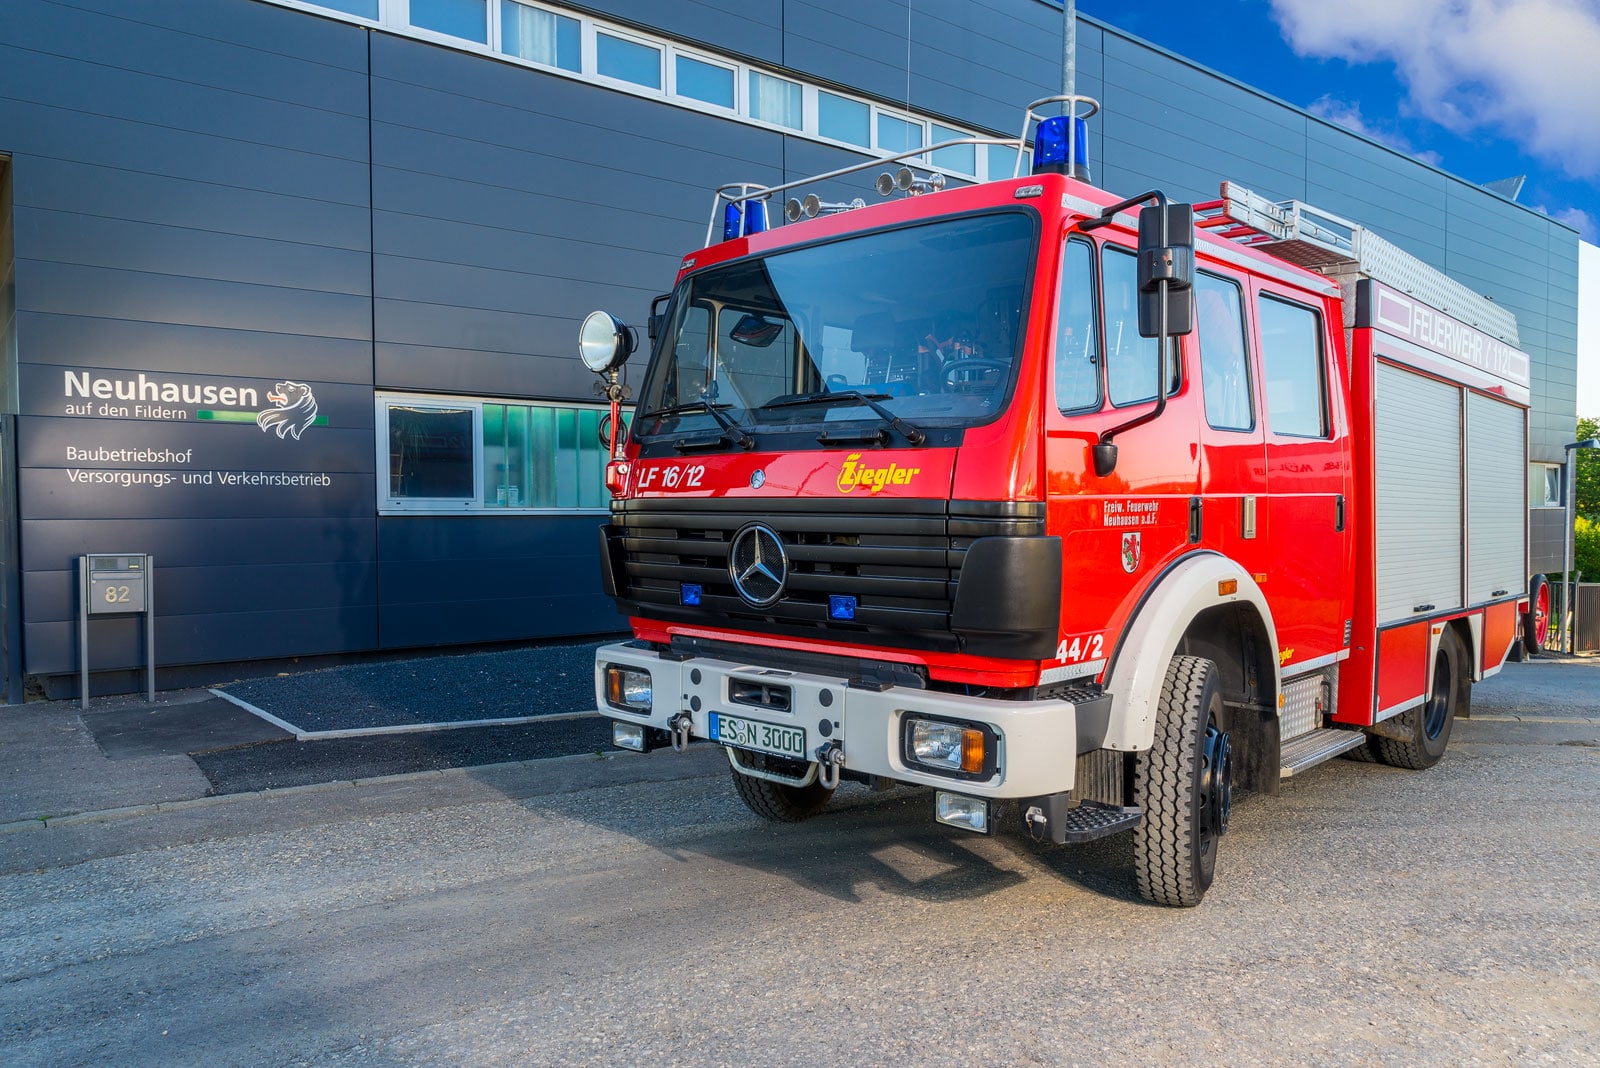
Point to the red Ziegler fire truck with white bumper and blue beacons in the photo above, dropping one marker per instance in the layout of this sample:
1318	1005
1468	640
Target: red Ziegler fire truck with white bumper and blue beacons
1065	506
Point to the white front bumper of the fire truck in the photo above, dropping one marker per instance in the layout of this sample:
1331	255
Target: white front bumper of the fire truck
1039	741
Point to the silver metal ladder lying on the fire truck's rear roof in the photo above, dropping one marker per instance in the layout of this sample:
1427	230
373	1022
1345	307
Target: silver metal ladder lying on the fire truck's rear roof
1335	247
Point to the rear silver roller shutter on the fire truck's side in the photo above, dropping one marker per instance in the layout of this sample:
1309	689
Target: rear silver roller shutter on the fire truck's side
1497	500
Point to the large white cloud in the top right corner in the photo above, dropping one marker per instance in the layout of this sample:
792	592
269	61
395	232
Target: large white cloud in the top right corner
1526	68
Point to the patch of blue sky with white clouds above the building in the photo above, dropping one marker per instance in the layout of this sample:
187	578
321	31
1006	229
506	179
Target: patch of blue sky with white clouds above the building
1481	89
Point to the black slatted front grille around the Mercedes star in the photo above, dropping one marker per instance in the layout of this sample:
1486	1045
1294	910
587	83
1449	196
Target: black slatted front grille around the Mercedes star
898	559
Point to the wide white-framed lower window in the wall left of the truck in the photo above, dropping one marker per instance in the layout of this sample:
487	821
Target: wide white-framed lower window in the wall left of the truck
452	455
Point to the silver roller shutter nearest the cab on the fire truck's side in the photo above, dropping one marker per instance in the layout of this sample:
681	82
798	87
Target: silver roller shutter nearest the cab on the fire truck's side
1418	476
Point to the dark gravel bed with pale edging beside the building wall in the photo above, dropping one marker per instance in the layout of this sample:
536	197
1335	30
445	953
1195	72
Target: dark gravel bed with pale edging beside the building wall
506	685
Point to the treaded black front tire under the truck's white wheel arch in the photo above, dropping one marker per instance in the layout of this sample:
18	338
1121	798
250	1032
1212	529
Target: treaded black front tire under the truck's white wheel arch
1185	787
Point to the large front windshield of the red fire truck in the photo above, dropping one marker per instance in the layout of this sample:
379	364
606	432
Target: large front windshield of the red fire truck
922	322
